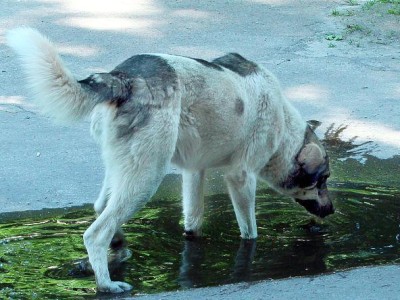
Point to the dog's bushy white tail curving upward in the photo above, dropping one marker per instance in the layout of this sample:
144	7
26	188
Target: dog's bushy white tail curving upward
54	88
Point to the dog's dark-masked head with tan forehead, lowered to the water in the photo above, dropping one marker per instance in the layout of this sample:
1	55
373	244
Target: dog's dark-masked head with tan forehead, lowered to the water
306	182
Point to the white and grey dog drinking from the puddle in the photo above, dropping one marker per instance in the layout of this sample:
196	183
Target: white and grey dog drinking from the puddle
157	109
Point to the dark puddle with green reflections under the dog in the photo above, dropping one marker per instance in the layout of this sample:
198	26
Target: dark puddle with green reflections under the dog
41	253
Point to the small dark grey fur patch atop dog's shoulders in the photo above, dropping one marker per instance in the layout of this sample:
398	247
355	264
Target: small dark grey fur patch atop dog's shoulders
237	63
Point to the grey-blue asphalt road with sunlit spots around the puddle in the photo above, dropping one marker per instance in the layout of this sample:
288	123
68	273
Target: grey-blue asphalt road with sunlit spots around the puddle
330	73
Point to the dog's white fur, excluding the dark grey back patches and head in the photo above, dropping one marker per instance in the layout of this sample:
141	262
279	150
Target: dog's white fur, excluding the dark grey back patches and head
199	124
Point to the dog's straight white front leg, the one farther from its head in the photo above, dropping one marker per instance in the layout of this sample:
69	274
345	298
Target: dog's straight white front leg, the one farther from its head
193	202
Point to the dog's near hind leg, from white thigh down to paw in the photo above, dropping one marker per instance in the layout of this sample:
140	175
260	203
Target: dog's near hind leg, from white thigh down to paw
137	161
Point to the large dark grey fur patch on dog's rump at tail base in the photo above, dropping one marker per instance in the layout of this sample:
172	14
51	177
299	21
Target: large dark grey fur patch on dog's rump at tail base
135	87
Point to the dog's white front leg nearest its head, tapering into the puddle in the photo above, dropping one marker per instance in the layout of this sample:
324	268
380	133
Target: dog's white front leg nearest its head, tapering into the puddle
242	189
